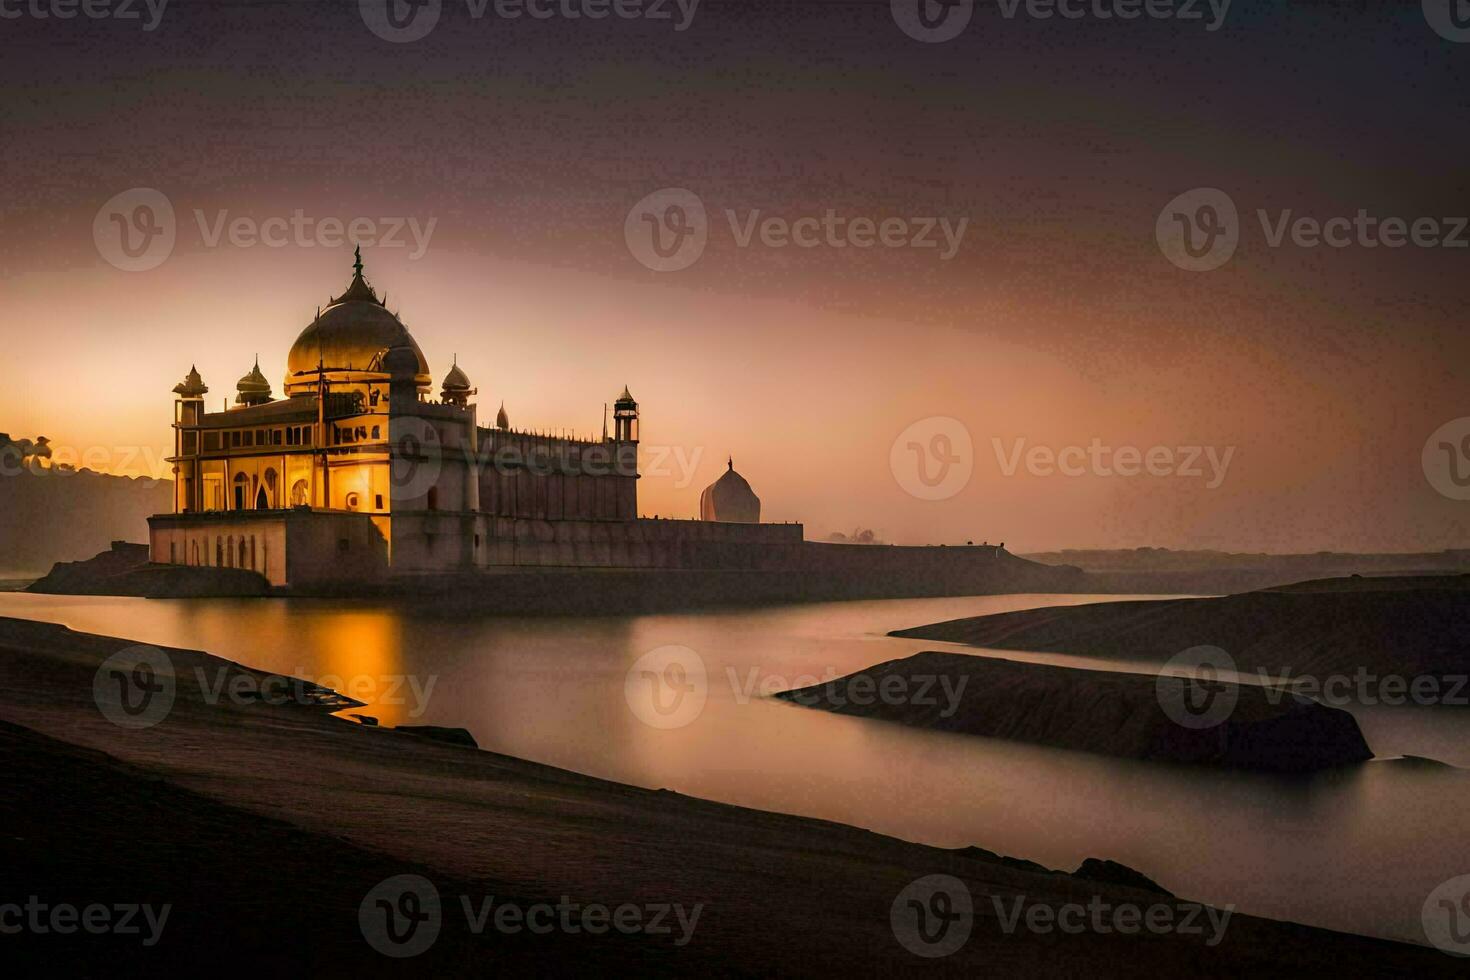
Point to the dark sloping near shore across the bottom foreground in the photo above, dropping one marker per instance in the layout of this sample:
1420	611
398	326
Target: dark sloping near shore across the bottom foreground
265	826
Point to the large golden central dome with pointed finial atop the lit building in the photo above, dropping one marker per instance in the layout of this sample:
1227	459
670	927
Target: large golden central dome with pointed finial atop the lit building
351	337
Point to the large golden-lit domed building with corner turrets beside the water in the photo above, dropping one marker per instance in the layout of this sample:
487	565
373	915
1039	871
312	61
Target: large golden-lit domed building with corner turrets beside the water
358	469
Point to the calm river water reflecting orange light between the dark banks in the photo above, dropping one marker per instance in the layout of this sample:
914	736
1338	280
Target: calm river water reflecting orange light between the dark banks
1358	850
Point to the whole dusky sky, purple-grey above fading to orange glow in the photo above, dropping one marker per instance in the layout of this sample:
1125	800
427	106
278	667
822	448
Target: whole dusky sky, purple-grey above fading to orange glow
1025	355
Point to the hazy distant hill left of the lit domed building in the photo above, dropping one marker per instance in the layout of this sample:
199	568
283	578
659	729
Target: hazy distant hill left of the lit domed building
61	515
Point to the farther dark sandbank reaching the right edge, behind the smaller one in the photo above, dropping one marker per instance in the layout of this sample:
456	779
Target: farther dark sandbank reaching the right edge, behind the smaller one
1409	627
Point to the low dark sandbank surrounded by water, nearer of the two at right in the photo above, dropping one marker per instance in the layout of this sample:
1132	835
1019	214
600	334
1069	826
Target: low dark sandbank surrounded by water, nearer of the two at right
1136	716
